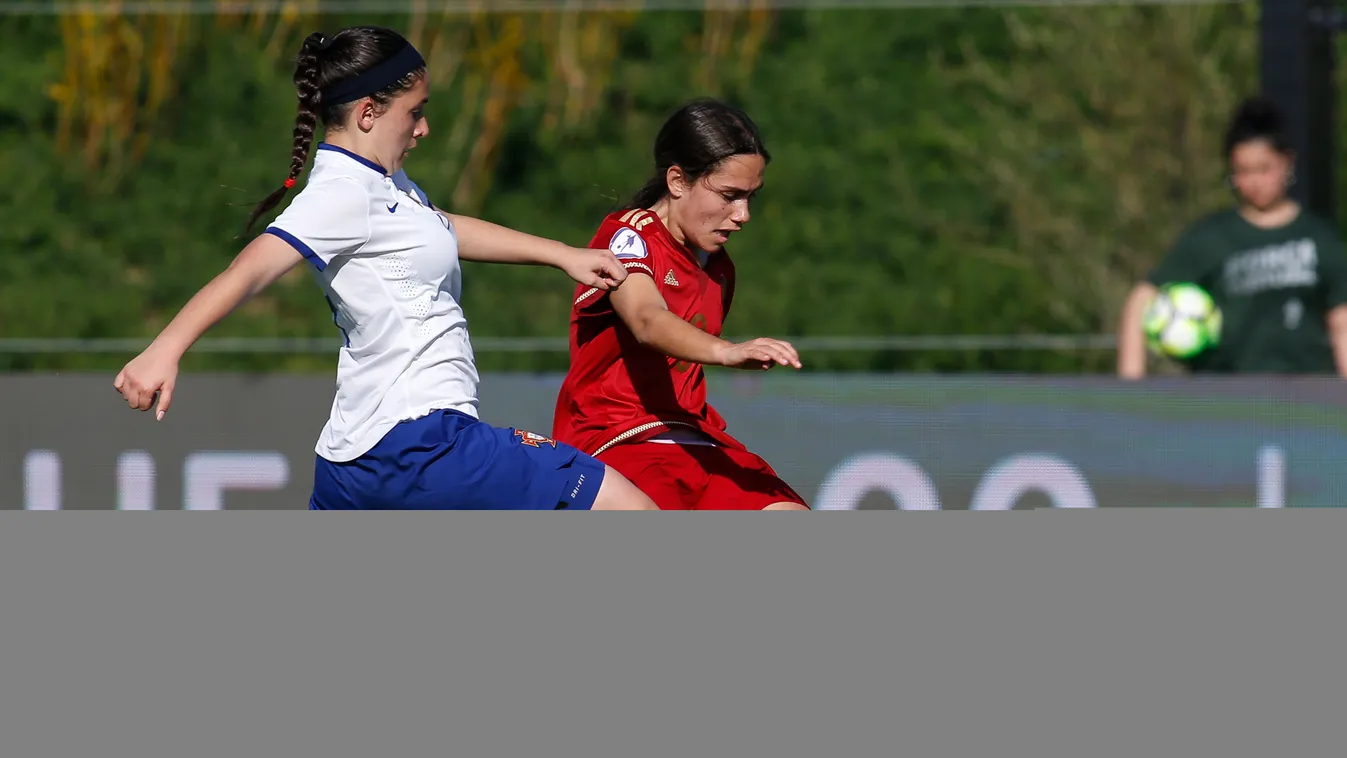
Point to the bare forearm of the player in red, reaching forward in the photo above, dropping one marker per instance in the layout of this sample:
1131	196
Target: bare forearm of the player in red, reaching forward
645	312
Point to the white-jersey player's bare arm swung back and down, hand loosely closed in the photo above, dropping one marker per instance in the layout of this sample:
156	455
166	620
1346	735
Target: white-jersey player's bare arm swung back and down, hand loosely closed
156	370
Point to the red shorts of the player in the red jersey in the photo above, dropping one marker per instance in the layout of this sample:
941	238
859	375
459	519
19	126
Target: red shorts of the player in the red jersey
700	477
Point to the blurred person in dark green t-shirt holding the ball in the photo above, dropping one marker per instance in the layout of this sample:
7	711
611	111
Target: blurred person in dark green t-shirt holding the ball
1276	270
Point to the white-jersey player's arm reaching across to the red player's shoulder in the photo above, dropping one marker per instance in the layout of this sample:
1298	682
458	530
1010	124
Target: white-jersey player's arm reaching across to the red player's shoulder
491	243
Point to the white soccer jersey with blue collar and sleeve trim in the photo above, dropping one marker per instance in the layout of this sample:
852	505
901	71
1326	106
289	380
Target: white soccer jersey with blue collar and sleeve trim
389	266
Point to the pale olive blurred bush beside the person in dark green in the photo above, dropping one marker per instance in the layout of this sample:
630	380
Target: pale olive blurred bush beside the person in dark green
1103	142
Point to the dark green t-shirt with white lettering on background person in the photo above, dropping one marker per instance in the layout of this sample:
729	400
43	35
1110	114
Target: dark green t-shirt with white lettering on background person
1275	289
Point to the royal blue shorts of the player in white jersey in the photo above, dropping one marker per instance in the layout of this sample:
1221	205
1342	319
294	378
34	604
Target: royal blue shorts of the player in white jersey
451	461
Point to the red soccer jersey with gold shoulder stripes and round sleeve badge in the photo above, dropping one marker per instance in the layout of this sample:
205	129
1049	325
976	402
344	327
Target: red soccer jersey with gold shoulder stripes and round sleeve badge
619	391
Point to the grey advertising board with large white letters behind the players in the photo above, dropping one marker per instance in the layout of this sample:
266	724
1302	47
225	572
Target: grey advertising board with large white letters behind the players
845	442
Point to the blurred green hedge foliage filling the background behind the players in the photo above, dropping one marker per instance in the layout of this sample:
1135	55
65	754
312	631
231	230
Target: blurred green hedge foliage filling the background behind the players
964	172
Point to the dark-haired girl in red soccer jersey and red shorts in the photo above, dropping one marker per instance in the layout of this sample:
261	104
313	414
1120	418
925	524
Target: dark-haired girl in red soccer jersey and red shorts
635	397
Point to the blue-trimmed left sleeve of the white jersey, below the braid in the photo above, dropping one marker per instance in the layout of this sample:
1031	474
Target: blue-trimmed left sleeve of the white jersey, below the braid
325	221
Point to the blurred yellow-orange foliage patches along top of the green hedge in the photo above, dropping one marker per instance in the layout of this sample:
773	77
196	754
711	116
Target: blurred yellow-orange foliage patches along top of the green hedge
121	69
